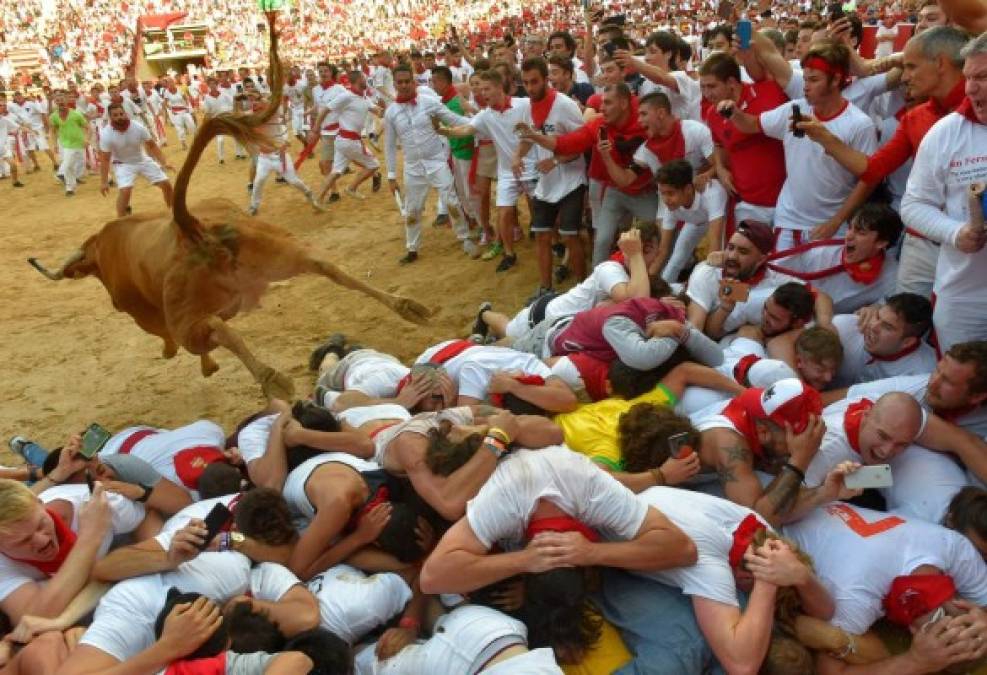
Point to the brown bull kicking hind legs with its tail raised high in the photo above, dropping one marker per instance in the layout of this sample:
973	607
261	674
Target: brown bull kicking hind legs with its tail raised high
182	276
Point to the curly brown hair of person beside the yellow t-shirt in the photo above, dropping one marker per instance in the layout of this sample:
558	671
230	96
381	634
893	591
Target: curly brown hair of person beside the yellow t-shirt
643	432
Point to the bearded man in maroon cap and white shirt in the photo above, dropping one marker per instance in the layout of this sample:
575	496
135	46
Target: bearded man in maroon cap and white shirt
744	260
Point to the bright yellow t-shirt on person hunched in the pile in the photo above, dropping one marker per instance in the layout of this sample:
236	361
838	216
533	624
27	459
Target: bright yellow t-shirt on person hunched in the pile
592	428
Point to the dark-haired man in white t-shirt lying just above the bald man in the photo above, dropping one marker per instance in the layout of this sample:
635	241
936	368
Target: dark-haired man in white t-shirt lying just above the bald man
887	341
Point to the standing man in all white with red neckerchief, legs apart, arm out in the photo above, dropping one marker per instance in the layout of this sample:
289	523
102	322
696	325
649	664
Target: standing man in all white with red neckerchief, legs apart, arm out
409	121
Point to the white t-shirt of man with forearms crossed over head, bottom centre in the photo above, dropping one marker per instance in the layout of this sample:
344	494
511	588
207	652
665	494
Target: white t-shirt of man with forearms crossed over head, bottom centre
501	510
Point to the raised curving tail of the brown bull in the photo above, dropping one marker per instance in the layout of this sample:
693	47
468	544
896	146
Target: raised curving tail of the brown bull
247	129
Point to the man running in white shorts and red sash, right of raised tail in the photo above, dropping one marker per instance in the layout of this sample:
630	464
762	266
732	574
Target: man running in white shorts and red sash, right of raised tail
351	108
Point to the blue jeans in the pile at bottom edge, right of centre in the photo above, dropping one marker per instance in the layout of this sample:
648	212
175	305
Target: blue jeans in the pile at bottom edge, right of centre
657	624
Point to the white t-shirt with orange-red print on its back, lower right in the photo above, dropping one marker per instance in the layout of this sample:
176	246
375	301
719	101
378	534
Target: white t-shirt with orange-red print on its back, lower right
858	552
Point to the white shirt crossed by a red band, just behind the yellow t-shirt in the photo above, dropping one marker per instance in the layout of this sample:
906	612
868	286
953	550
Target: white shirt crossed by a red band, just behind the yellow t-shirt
473	368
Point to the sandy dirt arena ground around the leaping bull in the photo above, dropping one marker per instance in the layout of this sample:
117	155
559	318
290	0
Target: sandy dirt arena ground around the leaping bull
69	359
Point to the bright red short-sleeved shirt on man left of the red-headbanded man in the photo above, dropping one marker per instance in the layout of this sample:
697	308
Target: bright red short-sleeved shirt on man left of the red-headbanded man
756	161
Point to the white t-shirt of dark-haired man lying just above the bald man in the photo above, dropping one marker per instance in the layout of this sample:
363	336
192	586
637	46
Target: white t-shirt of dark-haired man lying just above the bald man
860	366
